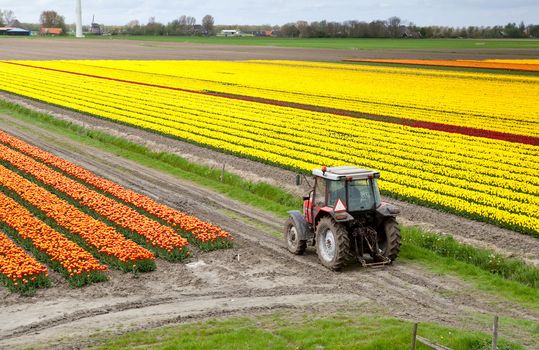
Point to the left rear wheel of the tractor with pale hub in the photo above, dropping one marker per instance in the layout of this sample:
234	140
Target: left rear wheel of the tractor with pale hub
332	244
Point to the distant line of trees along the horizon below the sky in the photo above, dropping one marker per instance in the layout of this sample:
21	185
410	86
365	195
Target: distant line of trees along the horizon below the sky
393	27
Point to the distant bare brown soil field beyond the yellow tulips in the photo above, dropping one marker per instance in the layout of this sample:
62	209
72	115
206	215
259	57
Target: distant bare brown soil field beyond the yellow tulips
65	49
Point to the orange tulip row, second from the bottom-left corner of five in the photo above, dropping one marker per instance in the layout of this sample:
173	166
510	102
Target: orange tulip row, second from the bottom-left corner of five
47	244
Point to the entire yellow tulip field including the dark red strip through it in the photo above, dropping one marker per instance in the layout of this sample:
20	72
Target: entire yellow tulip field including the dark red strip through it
463	142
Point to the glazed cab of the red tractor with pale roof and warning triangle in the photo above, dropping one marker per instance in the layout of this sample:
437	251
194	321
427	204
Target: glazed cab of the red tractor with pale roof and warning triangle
342	192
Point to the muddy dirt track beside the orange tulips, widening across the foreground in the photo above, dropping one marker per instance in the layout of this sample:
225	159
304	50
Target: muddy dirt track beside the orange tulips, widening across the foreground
258	275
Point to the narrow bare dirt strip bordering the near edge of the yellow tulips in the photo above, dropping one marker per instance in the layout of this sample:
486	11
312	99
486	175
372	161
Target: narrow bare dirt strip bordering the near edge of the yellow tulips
504	241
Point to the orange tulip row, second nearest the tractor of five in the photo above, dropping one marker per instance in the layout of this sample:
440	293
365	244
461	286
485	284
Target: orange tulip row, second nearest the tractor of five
163	240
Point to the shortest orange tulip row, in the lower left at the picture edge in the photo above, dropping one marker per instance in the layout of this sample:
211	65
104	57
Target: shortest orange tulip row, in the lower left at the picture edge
18	270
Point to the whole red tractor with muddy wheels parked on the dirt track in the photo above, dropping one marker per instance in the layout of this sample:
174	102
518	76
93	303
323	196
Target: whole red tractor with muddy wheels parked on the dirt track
343	215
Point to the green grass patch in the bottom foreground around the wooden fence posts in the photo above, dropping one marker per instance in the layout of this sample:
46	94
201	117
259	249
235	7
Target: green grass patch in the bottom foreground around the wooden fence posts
302	331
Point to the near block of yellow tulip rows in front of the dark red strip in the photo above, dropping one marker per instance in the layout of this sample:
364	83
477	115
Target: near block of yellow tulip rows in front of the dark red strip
482	178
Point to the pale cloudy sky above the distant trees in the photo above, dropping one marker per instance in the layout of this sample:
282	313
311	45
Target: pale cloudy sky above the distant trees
421	12
